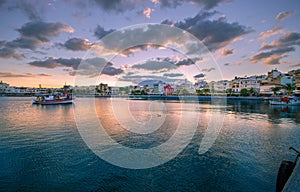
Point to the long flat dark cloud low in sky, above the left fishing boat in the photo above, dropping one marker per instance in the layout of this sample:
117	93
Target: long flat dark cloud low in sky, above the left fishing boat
59	62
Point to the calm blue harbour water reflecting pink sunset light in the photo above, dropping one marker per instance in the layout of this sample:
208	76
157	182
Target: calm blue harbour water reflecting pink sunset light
227	146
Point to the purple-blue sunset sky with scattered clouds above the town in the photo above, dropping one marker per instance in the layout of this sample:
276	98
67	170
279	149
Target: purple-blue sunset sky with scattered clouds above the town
123	42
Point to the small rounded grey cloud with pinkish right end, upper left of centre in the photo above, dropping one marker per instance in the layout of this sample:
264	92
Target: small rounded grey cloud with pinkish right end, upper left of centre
77	44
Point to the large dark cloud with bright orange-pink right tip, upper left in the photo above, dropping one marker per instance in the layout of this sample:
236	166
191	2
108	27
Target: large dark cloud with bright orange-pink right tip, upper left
43	30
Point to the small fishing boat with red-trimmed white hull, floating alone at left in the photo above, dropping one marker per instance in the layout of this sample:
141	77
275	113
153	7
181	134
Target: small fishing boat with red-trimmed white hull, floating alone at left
45	99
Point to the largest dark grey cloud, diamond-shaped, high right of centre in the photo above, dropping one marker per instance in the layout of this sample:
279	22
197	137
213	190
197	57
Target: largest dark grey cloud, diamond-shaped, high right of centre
214	33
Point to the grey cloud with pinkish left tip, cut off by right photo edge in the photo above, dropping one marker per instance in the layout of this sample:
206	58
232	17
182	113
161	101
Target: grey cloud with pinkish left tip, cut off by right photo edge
288	39
